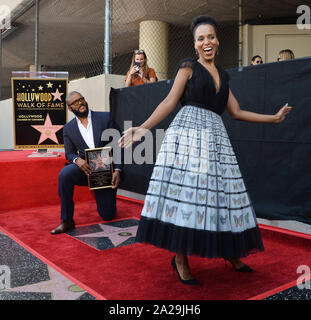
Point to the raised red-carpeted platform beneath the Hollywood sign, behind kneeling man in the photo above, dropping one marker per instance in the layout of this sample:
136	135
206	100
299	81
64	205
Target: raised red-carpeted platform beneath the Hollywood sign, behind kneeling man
31	182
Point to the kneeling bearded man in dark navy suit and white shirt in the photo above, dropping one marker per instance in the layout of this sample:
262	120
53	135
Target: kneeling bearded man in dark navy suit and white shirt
84	132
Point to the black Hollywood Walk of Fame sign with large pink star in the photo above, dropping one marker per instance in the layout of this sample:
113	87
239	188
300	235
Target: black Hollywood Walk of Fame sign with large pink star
40	112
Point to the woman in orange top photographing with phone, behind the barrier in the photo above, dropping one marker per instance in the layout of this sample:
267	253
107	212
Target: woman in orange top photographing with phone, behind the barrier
139	72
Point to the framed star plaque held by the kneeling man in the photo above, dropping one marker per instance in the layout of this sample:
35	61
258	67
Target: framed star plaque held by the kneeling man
100	161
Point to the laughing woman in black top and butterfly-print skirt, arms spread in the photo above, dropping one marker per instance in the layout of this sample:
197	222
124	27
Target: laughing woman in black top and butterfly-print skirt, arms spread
197	202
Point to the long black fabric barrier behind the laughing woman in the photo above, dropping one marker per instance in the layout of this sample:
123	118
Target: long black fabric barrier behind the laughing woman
274	158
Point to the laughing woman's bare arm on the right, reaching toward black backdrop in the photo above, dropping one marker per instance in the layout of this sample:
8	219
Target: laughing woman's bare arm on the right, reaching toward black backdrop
237	113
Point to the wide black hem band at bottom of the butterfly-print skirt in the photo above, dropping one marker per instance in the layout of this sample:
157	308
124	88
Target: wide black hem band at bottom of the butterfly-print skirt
204	243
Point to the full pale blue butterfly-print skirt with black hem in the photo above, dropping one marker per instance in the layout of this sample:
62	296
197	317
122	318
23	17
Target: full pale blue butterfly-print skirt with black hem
196	201
